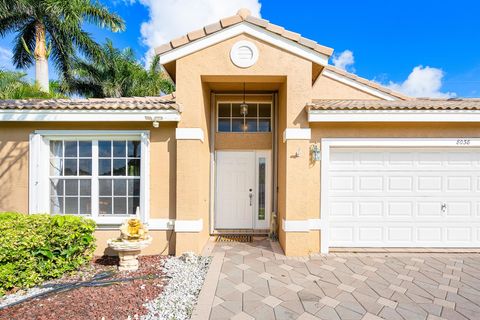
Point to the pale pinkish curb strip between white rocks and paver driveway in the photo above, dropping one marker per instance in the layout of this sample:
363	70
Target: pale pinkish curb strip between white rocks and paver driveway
207	294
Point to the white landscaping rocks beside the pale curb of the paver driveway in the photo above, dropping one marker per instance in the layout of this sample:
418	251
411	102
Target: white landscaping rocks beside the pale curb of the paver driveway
179	297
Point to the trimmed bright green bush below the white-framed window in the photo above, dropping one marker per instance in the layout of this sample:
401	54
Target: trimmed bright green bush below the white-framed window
34	248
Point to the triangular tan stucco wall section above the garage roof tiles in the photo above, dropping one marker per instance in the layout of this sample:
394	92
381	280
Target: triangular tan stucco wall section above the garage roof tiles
326	88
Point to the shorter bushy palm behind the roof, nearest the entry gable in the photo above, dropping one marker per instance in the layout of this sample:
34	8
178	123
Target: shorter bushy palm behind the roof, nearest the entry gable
116	74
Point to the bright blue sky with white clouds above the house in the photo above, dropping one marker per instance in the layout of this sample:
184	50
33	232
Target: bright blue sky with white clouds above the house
422	48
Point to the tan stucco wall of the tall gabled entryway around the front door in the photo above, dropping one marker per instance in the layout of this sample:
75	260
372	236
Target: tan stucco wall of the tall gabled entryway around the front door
274	65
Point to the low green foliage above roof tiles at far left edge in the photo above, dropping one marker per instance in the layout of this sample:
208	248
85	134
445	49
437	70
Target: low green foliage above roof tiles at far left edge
14	86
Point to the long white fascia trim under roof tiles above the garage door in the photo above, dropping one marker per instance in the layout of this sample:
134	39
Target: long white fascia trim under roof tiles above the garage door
393	116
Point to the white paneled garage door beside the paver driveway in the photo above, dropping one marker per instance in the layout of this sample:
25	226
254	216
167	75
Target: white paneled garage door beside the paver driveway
397	197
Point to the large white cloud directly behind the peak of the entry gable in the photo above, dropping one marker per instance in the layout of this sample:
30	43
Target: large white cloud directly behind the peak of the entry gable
169	19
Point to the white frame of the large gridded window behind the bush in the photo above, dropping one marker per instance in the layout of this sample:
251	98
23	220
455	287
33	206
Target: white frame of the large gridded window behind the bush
39	186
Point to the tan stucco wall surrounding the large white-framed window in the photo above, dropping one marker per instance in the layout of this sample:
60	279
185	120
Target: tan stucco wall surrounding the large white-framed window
14	173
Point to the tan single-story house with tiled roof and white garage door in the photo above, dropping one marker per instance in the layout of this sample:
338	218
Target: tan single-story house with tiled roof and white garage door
261	133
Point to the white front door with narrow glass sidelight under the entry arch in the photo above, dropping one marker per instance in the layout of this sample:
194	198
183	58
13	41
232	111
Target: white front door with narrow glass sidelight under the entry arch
243	188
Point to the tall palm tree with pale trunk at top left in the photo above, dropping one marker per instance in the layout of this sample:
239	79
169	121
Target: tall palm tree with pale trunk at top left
53	28
